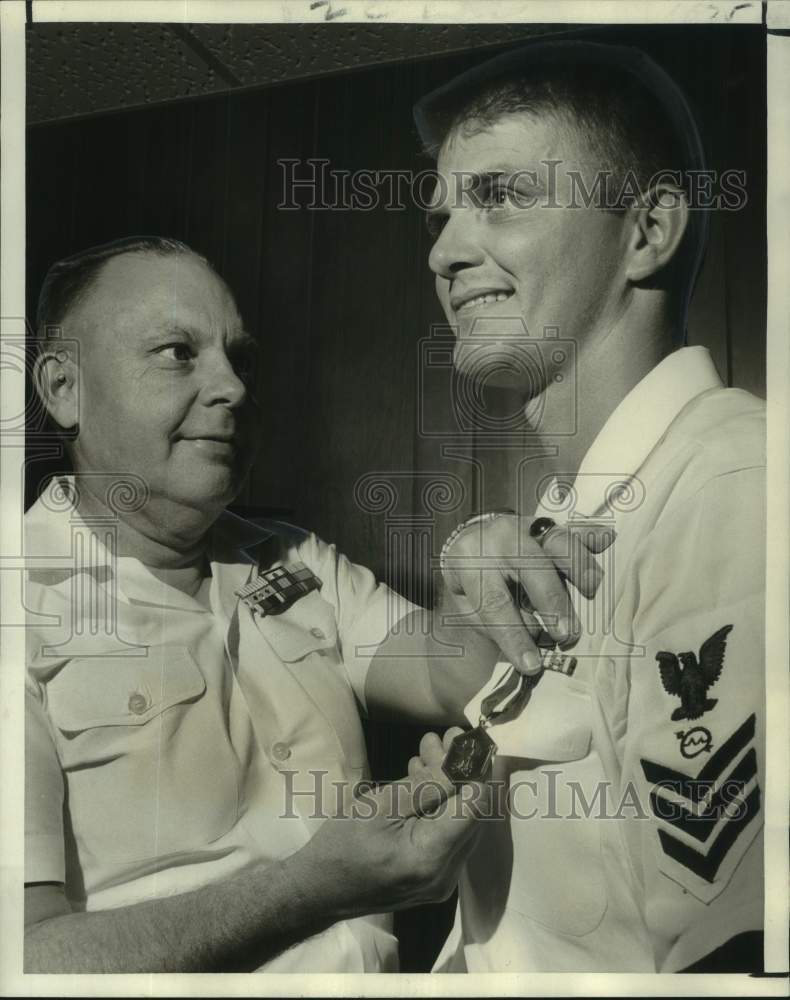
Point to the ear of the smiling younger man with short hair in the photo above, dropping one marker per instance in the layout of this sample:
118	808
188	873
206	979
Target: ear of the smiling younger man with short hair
658	228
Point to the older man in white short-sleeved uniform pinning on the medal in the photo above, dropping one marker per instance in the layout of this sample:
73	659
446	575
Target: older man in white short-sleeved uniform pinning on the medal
191	713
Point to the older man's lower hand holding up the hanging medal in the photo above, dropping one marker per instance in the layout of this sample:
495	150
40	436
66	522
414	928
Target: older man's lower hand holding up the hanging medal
402	844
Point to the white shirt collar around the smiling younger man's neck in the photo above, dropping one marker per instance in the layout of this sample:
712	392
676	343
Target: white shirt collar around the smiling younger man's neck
636	426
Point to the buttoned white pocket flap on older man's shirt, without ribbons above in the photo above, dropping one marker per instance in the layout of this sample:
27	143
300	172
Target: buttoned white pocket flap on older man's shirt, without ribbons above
93	691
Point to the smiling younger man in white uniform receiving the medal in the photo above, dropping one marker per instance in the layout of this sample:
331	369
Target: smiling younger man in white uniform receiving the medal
632	842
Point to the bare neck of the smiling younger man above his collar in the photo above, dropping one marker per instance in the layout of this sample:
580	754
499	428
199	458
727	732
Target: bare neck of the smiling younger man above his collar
607	368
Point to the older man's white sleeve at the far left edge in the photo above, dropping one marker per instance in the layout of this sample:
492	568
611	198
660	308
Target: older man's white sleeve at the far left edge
44	844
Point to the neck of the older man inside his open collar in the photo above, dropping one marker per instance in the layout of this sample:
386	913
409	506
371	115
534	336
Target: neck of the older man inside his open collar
162	534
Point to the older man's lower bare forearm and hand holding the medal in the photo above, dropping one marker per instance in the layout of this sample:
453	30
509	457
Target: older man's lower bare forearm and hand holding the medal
403	845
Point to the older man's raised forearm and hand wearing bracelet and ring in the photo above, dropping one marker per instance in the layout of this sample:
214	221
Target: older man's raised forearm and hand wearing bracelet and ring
506	594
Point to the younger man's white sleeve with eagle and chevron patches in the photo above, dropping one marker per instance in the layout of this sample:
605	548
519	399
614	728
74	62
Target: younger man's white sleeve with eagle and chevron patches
696	717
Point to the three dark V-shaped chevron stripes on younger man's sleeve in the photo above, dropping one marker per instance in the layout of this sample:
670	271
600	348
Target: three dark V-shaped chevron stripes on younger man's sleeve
713	808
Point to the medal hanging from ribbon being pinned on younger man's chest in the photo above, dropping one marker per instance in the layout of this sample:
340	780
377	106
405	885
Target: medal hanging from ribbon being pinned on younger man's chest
471	753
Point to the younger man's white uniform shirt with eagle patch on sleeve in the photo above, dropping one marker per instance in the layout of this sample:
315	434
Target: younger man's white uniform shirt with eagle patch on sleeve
655	875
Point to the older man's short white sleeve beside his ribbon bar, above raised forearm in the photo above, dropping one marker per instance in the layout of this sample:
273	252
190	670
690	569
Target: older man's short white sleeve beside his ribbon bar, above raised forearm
366	610
